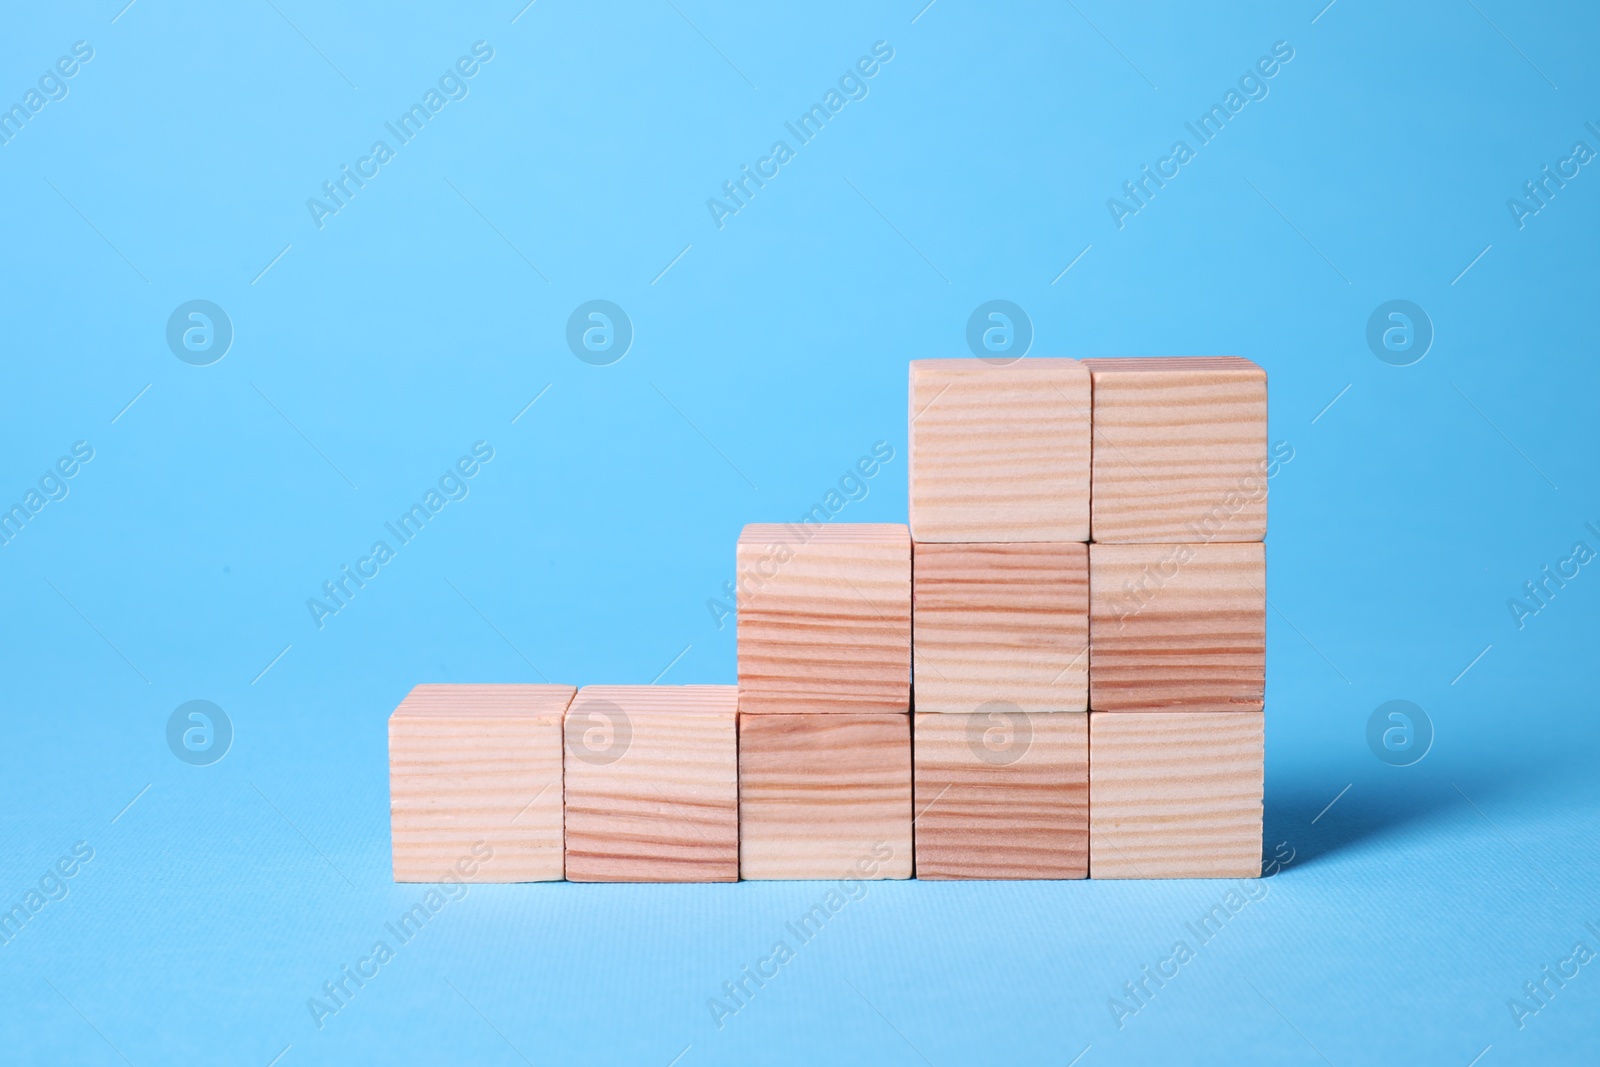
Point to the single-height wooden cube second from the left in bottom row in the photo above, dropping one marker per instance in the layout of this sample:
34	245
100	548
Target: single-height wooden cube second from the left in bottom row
654	785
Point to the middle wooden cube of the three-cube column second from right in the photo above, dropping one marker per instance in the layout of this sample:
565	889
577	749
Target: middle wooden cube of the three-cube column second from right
1001	623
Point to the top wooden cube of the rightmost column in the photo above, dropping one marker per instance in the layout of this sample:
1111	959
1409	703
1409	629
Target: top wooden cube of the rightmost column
1180	450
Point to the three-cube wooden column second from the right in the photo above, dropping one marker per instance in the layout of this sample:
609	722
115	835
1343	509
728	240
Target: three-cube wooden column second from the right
1001	613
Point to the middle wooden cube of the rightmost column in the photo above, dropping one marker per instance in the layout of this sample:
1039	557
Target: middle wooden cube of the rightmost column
1178	628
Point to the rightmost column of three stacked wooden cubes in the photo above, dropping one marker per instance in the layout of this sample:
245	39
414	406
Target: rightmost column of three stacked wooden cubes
1178	618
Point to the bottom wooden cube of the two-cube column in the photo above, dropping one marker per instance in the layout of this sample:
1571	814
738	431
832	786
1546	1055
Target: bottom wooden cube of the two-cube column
825	796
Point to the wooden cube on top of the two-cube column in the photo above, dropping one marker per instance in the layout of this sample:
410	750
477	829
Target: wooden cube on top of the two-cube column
825	620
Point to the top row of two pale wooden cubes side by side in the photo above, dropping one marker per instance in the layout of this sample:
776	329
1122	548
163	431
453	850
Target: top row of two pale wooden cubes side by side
1116	450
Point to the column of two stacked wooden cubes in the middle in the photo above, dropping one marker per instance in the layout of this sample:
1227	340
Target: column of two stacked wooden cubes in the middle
825	701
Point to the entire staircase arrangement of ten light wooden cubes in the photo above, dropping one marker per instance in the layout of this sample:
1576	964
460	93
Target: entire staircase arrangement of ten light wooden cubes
1055	673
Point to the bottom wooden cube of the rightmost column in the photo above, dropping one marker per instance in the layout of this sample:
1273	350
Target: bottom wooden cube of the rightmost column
1177	794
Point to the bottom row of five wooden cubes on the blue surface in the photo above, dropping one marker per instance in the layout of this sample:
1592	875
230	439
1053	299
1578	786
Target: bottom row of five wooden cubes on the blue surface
538	783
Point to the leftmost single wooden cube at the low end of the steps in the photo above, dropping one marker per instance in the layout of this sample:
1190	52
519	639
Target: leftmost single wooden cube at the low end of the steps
476	783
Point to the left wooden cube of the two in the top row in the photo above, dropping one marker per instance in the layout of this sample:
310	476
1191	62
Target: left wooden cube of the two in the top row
999	452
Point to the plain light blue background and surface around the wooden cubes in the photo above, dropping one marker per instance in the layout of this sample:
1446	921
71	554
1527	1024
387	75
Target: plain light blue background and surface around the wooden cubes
430	311
